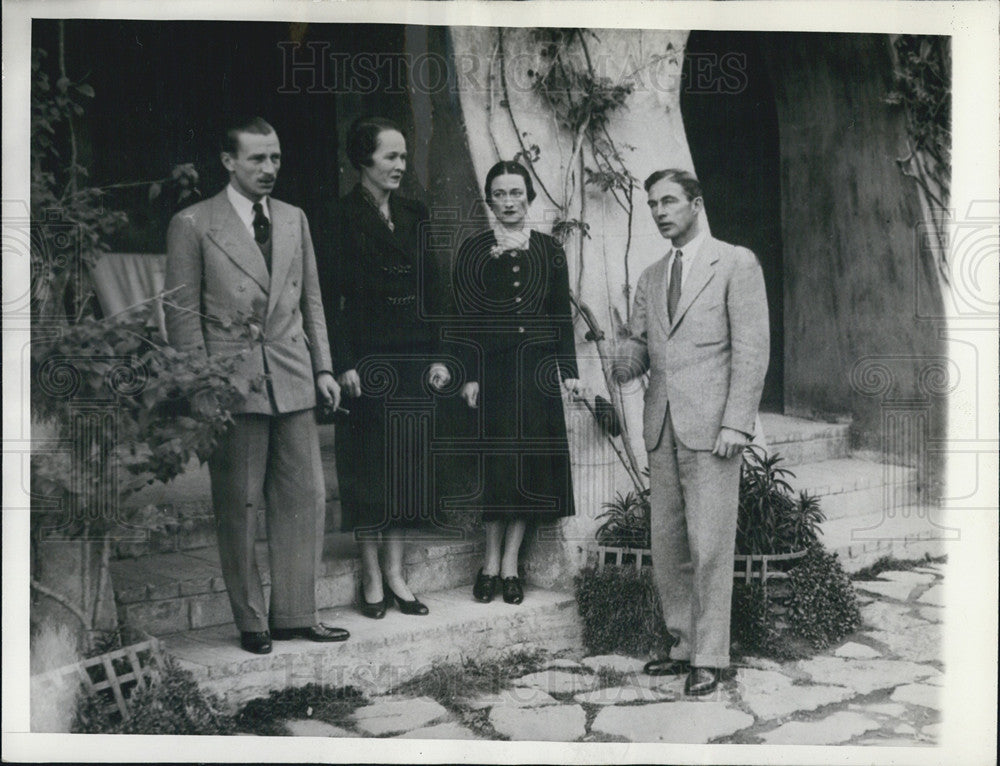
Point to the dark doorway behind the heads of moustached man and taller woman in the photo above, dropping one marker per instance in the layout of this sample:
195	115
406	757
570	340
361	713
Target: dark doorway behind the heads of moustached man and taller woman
163	87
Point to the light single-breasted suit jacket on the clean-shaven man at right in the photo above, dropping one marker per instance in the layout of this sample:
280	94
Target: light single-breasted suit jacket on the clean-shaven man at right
708	365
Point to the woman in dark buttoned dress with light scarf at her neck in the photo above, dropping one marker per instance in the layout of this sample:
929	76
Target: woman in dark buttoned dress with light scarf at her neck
514	281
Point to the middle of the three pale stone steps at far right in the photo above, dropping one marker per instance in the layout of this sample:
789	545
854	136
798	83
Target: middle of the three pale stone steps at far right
850	487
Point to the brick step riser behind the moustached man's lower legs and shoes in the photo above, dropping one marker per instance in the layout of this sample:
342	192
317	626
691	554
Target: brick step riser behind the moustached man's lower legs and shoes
171	592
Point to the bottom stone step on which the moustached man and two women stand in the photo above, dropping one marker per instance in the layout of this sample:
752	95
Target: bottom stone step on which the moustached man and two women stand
381	654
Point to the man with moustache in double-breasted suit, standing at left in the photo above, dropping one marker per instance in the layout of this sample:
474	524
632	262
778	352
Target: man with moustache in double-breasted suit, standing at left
243	274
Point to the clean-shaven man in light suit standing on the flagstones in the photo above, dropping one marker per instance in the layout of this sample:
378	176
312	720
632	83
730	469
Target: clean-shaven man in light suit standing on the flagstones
699	326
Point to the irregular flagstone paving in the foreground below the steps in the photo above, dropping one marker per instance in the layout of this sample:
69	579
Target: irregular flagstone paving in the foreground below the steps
879	687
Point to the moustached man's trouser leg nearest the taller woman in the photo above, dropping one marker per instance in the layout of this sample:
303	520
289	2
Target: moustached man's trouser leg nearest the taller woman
294	491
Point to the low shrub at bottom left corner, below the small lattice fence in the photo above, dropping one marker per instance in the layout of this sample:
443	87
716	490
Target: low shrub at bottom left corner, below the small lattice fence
173	705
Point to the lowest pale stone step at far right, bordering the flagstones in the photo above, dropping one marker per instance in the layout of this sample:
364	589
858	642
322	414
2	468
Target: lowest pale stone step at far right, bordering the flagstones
908	532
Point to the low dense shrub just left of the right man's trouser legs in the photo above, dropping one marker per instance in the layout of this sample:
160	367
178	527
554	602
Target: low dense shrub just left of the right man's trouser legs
621	611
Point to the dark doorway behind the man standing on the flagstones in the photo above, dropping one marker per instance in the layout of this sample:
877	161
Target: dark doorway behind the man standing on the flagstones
732	131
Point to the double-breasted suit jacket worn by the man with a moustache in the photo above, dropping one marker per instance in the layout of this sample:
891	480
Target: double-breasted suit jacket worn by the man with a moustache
225	300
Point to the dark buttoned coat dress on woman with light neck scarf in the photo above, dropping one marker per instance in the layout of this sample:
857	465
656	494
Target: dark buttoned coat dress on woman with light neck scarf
513	312
